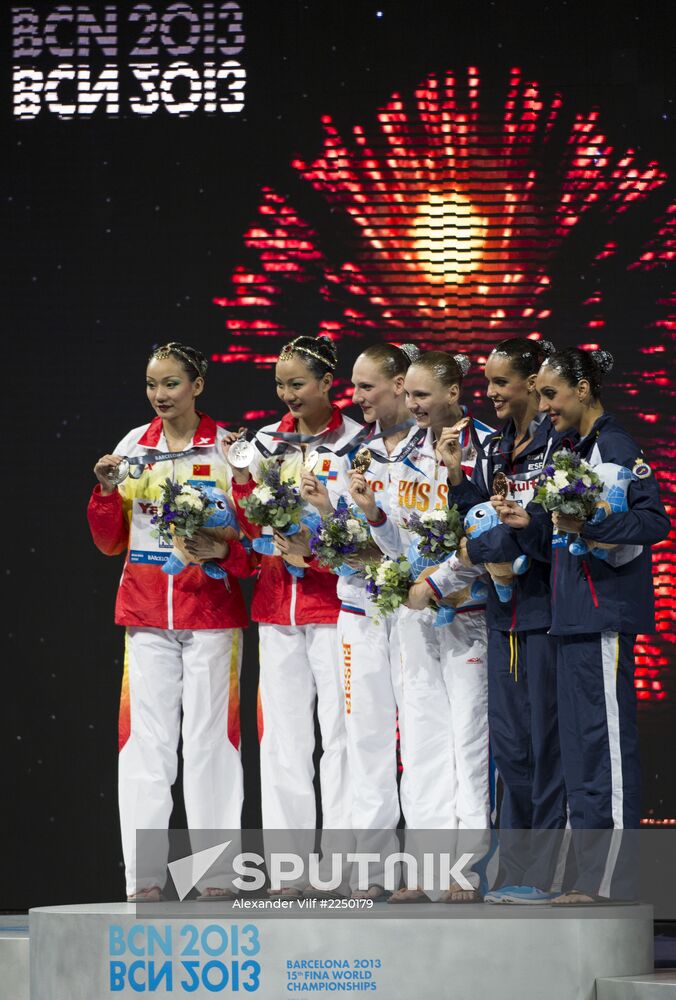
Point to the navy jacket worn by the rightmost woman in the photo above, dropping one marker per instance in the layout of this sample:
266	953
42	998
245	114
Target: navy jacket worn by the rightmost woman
590	595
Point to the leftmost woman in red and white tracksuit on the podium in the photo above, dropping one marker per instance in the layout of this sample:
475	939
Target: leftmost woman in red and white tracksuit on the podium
184	632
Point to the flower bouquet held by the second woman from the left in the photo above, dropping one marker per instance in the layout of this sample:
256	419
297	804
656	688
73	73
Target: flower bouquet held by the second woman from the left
274	504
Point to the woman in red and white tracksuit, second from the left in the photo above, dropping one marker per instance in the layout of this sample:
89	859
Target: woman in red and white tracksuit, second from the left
297	615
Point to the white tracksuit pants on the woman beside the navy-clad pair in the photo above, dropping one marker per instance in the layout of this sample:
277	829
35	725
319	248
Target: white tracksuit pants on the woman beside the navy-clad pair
443	721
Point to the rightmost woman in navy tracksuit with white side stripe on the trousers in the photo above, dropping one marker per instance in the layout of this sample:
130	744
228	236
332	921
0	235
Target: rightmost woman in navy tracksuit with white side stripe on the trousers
598	607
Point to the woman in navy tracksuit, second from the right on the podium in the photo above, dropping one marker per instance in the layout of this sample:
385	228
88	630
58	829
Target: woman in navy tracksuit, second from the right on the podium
521	655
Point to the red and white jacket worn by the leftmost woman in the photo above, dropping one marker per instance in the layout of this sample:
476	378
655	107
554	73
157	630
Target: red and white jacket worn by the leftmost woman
121	522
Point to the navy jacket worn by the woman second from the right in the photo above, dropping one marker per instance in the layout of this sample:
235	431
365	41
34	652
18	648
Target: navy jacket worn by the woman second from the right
529	607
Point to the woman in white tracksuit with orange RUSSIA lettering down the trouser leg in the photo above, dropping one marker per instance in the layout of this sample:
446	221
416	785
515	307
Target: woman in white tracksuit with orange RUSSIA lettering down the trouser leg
369	651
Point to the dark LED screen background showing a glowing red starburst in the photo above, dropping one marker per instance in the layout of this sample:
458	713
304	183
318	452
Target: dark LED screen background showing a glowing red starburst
397	172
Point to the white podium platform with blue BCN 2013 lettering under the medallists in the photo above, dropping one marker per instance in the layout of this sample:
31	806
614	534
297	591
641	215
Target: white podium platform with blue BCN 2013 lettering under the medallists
463	952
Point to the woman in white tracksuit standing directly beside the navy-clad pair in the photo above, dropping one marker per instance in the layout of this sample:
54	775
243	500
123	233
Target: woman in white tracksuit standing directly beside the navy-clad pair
442	686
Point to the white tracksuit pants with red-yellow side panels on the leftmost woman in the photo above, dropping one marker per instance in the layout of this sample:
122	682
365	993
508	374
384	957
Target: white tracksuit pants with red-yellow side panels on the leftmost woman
170	670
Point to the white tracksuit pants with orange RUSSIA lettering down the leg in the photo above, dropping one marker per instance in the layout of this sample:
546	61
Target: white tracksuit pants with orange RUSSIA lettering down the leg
368	652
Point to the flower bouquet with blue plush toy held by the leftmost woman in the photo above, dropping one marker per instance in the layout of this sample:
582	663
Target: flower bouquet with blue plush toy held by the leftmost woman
183	510
